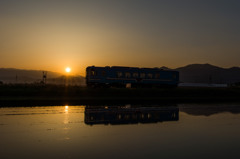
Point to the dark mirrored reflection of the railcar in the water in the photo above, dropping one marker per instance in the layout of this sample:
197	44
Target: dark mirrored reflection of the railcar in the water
129	115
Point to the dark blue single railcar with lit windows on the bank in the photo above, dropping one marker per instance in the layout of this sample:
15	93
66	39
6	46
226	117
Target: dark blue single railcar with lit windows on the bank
117	76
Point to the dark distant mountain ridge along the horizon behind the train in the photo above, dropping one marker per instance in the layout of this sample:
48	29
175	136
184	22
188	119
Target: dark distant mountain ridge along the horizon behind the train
193	73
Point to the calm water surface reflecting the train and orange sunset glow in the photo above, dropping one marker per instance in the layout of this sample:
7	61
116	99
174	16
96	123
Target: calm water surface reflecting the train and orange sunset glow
127	131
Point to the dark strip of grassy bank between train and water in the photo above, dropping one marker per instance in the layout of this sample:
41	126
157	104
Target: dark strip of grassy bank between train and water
60	94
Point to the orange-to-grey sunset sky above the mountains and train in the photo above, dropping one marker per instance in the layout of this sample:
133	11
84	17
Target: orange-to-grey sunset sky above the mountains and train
55	34
